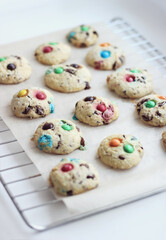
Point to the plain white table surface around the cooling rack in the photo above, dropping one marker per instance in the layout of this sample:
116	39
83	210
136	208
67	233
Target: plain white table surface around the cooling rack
145	219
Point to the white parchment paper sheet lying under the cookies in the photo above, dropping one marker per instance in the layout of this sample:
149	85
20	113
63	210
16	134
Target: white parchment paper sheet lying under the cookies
115	185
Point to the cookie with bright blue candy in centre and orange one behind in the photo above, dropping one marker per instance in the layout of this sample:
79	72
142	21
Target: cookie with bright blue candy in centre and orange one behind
105	56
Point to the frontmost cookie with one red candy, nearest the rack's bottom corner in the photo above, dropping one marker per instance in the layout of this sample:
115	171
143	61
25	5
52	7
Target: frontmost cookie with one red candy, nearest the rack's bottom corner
72	176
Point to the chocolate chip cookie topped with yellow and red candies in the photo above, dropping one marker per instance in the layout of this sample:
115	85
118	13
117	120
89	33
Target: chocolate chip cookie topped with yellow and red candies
32	103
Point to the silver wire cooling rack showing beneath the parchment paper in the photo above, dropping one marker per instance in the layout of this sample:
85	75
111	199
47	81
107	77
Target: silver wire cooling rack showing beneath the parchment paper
25	186
